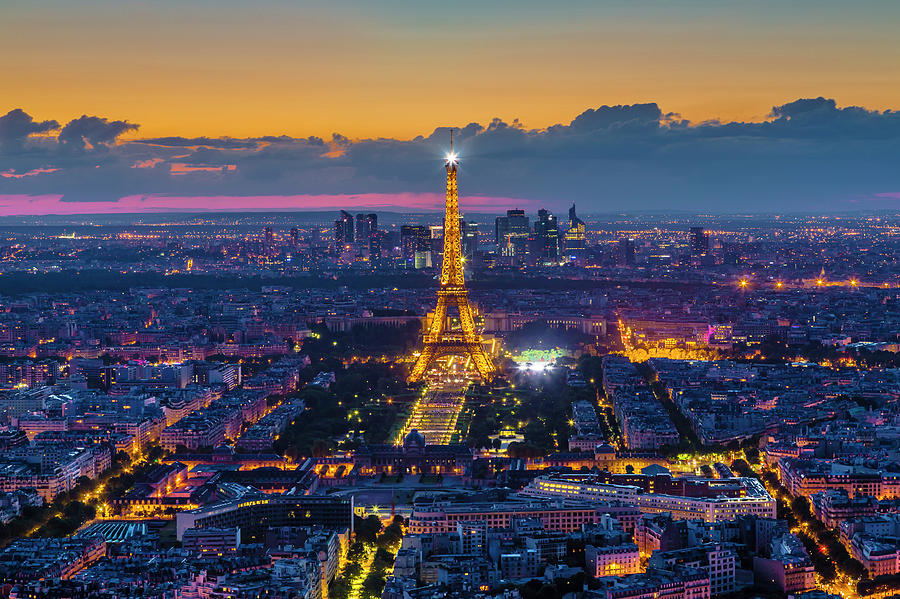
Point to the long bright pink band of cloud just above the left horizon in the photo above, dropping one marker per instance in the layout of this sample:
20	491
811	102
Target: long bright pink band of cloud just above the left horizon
26	205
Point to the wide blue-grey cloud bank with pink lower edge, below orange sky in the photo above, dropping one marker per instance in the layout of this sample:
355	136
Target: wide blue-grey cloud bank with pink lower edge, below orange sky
809	155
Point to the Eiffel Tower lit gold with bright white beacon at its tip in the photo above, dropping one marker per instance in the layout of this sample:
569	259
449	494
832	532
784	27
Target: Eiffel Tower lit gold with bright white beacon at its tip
439	340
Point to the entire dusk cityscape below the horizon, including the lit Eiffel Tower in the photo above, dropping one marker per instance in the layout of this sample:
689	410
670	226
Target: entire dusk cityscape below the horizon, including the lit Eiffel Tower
668	406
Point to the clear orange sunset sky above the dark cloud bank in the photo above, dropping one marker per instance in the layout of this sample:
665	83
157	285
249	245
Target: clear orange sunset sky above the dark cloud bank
398	69
